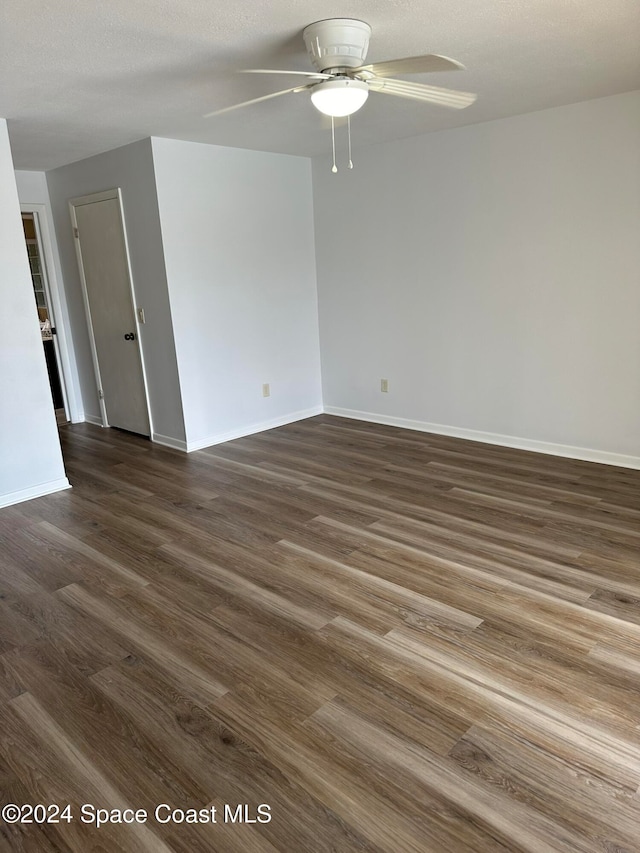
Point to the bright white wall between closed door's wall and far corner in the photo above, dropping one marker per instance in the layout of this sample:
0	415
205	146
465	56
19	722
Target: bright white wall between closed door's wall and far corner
237	228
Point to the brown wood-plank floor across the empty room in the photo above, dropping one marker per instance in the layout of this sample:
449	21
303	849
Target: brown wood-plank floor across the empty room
395	641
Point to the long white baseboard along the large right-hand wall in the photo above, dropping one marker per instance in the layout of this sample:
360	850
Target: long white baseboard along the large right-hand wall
584	453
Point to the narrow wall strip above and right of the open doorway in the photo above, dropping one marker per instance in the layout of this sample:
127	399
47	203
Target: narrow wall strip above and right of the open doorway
33	192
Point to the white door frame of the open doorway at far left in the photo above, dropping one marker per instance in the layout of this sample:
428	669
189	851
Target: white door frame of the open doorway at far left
54	307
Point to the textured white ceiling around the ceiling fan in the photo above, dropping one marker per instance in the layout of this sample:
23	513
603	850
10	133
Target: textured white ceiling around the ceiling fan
78	78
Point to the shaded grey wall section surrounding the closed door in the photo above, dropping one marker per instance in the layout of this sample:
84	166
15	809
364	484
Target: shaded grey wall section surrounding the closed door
131	169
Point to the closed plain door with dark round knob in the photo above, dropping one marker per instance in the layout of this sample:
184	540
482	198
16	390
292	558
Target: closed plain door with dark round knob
104	269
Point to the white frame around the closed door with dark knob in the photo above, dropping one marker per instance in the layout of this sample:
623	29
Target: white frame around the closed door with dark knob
93	198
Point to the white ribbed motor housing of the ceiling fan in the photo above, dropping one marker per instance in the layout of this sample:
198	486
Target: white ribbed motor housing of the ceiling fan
337	43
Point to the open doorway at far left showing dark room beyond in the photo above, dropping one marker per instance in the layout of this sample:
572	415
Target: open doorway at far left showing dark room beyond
48	328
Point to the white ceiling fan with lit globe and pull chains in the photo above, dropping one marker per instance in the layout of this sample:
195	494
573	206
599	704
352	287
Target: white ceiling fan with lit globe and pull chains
341	83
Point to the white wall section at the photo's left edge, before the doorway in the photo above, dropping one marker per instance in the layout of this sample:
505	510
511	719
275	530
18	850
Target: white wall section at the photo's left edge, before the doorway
30	457
